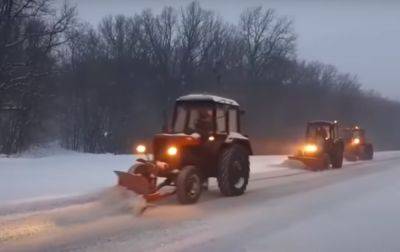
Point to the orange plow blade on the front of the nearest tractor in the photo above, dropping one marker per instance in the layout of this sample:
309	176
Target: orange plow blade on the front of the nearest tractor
134	182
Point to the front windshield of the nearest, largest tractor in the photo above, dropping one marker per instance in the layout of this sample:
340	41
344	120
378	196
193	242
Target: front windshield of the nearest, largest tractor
193	117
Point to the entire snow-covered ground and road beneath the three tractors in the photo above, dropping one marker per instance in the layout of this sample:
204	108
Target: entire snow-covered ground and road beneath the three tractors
67	201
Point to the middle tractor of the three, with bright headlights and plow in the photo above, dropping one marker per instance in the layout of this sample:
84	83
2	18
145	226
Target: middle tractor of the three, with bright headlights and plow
323	147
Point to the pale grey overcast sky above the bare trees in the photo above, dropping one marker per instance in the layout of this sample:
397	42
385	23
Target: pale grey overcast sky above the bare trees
360	36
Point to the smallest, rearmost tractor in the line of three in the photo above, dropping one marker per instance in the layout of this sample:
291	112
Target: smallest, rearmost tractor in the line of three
356	145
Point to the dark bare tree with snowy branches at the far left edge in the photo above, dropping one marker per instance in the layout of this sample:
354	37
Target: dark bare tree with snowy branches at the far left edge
29	32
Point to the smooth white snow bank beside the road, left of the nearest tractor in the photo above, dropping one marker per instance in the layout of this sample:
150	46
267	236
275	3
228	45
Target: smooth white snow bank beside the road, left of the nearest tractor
65	174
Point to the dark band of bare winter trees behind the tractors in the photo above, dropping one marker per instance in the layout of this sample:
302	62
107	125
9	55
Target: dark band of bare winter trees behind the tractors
102	89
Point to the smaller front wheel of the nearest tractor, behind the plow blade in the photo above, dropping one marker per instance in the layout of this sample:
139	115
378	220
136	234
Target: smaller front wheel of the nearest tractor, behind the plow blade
188	185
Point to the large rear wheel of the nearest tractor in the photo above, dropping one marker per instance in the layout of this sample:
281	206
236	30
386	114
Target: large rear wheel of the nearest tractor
233	170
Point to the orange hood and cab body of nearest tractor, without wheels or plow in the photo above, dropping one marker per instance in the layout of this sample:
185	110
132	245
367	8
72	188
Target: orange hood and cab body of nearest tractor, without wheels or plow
201	126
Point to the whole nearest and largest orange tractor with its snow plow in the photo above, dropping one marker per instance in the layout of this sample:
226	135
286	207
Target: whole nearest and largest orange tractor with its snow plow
204	141
